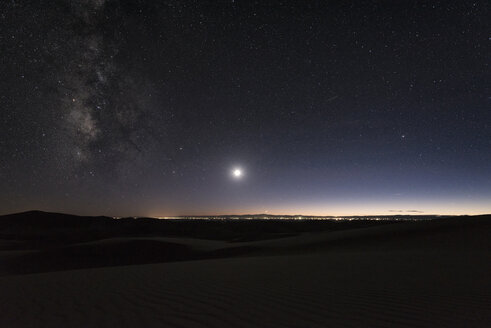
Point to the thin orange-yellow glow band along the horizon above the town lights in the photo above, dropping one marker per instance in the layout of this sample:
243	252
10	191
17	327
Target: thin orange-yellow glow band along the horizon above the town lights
333	209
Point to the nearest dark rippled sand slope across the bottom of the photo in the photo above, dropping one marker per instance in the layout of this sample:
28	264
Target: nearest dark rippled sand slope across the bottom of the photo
350	289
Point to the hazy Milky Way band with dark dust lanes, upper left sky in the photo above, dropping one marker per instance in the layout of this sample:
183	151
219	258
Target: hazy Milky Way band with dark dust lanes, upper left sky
93	89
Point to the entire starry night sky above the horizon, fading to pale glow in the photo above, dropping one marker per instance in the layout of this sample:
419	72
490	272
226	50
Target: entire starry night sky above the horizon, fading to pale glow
327	108
